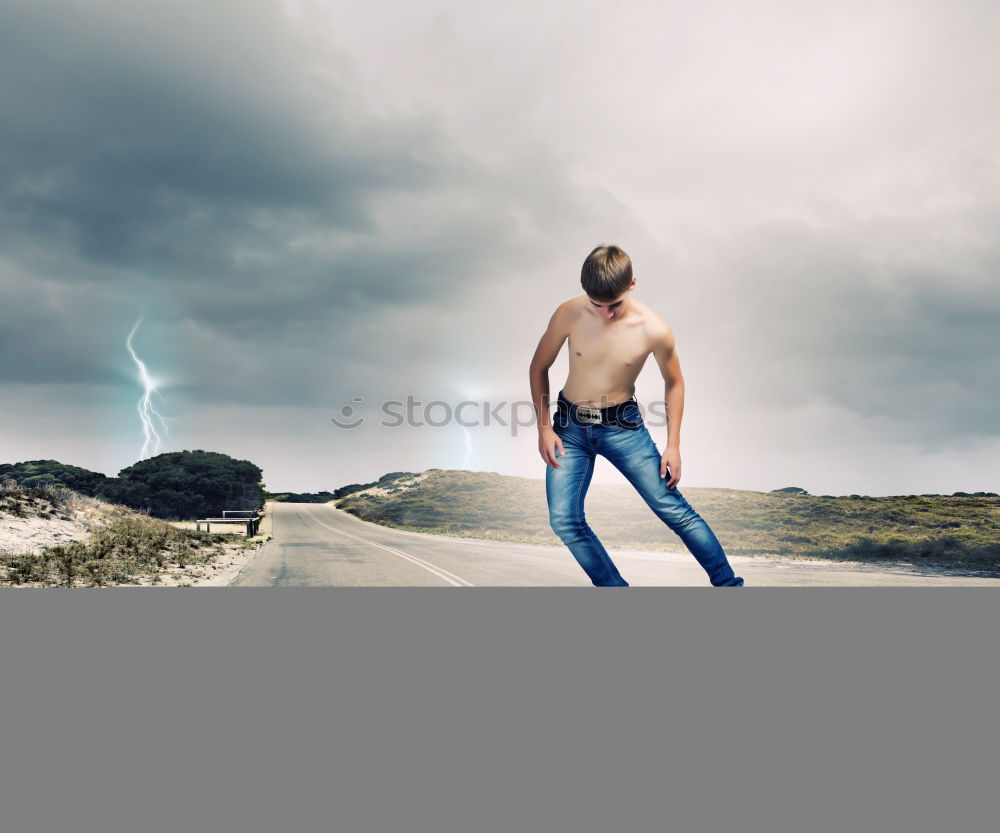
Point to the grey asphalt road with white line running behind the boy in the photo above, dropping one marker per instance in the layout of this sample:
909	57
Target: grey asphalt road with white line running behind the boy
315	544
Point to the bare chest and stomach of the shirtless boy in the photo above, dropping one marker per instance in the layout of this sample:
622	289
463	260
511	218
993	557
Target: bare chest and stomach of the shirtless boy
605	358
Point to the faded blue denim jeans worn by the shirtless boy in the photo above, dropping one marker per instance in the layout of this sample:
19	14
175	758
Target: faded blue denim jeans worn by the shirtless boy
633	452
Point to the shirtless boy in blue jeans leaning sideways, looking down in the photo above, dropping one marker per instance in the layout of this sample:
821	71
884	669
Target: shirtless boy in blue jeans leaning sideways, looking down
610	337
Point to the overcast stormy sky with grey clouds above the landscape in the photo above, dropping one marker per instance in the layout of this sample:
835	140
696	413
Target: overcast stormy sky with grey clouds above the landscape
314	203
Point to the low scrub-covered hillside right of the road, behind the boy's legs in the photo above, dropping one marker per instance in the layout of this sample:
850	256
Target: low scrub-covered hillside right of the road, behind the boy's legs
955	532
